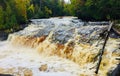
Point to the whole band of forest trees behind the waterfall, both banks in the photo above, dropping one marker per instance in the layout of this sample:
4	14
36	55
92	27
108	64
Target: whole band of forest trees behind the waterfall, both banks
13	13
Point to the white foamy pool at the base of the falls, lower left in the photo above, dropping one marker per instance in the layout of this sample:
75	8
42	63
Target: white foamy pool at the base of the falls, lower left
15	60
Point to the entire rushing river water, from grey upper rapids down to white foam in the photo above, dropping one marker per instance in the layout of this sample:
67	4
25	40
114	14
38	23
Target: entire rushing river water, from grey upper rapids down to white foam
64	46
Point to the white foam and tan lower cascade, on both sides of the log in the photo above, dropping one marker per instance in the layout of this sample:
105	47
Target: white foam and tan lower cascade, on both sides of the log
77	62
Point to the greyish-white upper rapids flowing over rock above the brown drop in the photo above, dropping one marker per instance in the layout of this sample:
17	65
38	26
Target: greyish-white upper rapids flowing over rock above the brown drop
63	29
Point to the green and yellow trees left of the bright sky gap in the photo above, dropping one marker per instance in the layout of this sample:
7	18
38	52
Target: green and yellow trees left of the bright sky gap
18	12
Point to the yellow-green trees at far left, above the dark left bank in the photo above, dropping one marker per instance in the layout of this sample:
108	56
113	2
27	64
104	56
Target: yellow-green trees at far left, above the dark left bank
14	13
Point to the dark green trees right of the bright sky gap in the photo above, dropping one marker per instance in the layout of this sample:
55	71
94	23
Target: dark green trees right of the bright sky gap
96	9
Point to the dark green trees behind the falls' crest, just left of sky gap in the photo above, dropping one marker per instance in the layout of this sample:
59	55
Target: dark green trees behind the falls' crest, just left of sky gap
49	8
